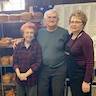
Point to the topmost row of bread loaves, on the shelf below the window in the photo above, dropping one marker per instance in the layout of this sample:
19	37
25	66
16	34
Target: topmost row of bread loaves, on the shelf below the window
24	16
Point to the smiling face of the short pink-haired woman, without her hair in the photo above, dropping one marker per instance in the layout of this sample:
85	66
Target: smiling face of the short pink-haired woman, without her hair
28	34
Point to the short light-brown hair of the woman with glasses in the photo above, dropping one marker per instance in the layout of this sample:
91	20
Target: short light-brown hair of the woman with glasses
79	14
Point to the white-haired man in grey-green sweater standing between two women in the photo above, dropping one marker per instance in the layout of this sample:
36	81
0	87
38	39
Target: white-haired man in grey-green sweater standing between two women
52	39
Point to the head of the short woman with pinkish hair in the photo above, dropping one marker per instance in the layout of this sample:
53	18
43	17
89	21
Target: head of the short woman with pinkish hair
28	29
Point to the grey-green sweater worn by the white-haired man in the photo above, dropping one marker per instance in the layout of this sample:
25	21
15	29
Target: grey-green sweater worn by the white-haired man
53	45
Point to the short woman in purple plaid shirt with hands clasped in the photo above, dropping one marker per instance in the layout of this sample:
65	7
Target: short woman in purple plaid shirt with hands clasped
27	60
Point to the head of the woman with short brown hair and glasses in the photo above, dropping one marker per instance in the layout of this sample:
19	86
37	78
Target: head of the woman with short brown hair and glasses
77	21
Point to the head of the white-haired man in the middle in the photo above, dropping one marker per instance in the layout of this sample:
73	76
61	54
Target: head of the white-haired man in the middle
51	18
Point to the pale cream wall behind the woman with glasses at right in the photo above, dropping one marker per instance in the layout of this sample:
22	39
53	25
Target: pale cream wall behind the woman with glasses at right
65	10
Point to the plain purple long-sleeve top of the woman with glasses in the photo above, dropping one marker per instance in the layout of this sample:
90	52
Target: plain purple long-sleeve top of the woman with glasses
83	54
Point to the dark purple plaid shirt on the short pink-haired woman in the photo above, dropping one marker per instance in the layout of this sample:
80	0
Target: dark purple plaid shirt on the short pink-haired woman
24	59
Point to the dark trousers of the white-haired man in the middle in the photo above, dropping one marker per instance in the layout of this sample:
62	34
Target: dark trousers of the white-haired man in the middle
51	80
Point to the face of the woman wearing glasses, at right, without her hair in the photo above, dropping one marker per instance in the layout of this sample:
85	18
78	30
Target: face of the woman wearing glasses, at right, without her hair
76	24
